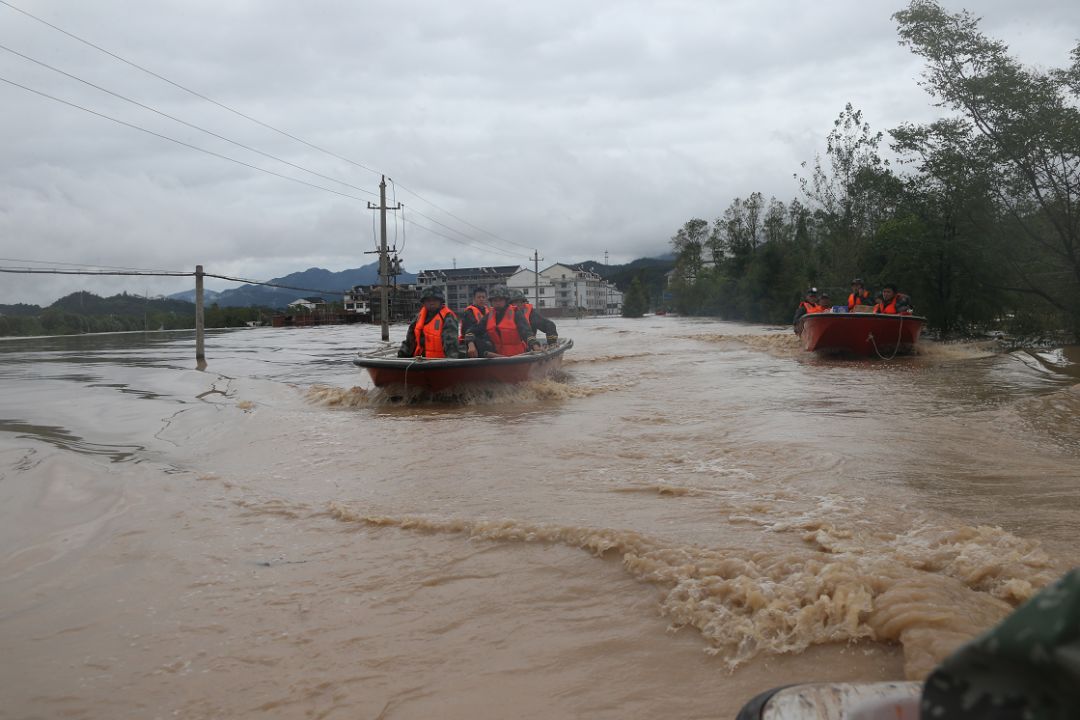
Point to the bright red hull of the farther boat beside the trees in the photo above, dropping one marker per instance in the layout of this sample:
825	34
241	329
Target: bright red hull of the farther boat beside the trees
860	334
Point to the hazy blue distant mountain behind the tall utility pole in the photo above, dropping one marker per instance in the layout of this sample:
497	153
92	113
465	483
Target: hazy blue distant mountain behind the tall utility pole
316	281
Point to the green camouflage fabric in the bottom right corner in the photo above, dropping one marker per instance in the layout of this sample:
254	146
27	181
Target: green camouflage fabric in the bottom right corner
1027	669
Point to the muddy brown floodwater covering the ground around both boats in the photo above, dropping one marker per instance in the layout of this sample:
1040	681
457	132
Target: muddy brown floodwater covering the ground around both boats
692	513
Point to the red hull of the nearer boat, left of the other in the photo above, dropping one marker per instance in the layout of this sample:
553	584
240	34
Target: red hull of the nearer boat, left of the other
439	375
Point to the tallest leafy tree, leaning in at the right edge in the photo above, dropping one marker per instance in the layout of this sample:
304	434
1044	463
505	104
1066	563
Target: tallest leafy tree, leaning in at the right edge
1017	134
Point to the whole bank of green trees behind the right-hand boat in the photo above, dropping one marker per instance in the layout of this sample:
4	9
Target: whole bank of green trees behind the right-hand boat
975	215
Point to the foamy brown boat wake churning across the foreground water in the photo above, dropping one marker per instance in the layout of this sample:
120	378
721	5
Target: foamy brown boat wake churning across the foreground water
929	590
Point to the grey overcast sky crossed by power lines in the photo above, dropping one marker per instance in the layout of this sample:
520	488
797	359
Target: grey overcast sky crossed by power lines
575	128
